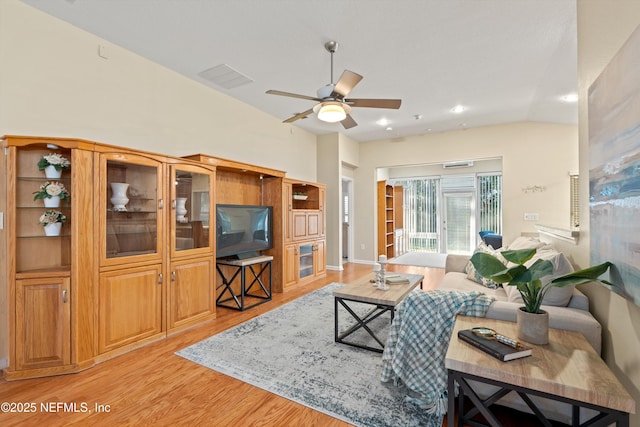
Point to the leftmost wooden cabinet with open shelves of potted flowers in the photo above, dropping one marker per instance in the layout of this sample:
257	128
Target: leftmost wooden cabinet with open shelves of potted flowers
44	277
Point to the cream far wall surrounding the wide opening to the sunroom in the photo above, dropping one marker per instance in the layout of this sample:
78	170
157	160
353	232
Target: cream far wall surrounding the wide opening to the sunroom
532	154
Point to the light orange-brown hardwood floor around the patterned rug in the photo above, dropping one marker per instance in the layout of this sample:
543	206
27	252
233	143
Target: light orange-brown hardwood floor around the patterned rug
153	386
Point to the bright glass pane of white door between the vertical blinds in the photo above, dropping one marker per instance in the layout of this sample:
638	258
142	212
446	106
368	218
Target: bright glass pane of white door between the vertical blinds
458	222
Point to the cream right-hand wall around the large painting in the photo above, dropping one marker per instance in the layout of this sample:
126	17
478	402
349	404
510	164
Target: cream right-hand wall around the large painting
603	27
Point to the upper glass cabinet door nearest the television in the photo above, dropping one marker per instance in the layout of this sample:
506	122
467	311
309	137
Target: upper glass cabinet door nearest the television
190	208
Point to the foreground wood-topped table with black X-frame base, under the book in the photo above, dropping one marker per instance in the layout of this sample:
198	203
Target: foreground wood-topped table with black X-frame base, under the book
566	370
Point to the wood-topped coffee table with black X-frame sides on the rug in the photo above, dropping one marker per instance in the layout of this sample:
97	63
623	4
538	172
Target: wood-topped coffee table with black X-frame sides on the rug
363	291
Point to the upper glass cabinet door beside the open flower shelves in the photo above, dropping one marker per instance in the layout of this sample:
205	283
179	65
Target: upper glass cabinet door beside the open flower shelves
132	204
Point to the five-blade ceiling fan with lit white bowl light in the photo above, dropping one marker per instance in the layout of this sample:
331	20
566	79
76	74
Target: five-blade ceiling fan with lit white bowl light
333	106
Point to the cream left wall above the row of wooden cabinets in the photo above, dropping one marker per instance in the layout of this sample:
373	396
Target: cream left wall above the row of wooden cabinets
53	83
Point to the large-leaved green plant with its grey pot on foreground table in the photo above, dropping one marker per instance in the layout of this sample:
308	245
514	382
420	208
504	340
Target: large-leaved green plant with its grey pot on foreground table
529	284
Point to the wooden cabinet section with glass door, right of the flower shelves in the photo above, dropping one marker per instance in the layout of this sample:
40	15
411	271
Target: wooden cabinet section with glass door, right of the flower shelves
131	228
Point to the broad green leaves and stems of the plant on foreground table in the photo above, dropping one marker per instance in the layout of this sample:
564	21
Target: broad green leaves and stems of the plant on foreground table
528	279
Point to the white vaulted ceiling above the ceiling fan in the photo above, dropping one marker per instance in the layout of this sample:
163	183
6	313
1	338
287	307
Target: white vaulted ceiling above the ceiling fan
501	60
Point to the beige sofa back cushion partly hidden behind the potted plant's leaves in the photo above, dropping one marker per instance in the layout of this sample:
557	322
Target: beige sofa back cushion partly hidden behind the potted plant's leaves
555	296
